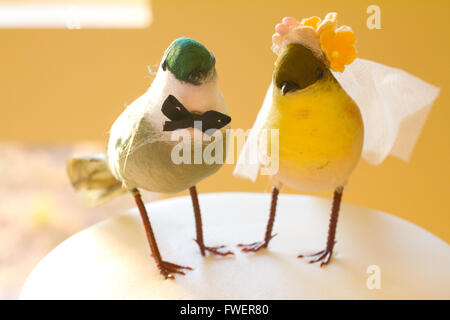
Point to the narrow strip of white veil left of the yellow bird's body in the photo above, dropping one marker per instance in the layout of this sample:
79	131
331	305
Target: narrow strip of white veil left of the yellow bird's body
248	162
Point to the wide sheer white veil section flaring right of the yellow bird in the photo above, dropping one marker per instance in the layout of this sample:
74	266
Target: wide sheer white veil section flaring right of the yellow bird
394	106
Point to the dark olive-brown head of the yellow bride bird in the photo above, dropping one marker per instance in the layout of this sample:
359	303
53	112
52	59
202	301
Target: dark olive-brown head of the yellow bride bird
297	67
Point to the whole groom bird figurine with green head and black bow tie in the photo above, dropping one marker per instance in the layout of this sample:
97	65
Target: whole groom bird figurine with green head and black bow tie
140	148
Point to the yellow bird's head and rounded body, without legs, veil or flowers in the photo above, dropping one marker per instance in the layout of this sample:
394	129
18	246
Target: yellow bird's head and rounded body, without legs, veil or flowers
320	126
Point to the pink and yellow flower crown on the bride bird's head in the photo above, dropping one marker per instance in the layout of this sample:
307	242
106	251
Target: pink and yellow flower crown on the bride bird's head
335	46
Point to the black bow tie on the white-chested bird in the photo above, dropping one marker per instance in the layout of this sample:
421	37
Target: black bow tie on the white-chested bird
181	118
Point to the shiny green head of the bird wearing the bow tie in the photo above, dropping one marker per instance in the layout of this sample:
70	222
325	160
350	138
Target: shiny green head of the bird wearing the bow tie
189	61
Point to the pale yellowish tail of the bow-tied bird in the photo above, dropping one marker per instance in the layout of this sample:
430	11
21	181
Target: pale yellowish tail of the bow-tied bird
92	178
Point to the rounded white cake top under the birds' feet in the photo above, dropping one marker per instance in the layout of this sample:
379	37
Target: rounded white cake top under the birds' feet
377	256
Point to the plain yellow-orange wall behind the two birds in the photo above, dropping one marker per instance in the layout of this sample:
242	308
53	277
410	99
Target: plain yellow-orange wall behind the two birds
60	86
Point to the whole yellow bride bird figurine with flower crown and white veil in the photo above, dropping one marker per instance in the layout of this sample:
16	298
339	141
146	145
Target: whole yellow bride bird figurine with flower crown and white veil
327	119
